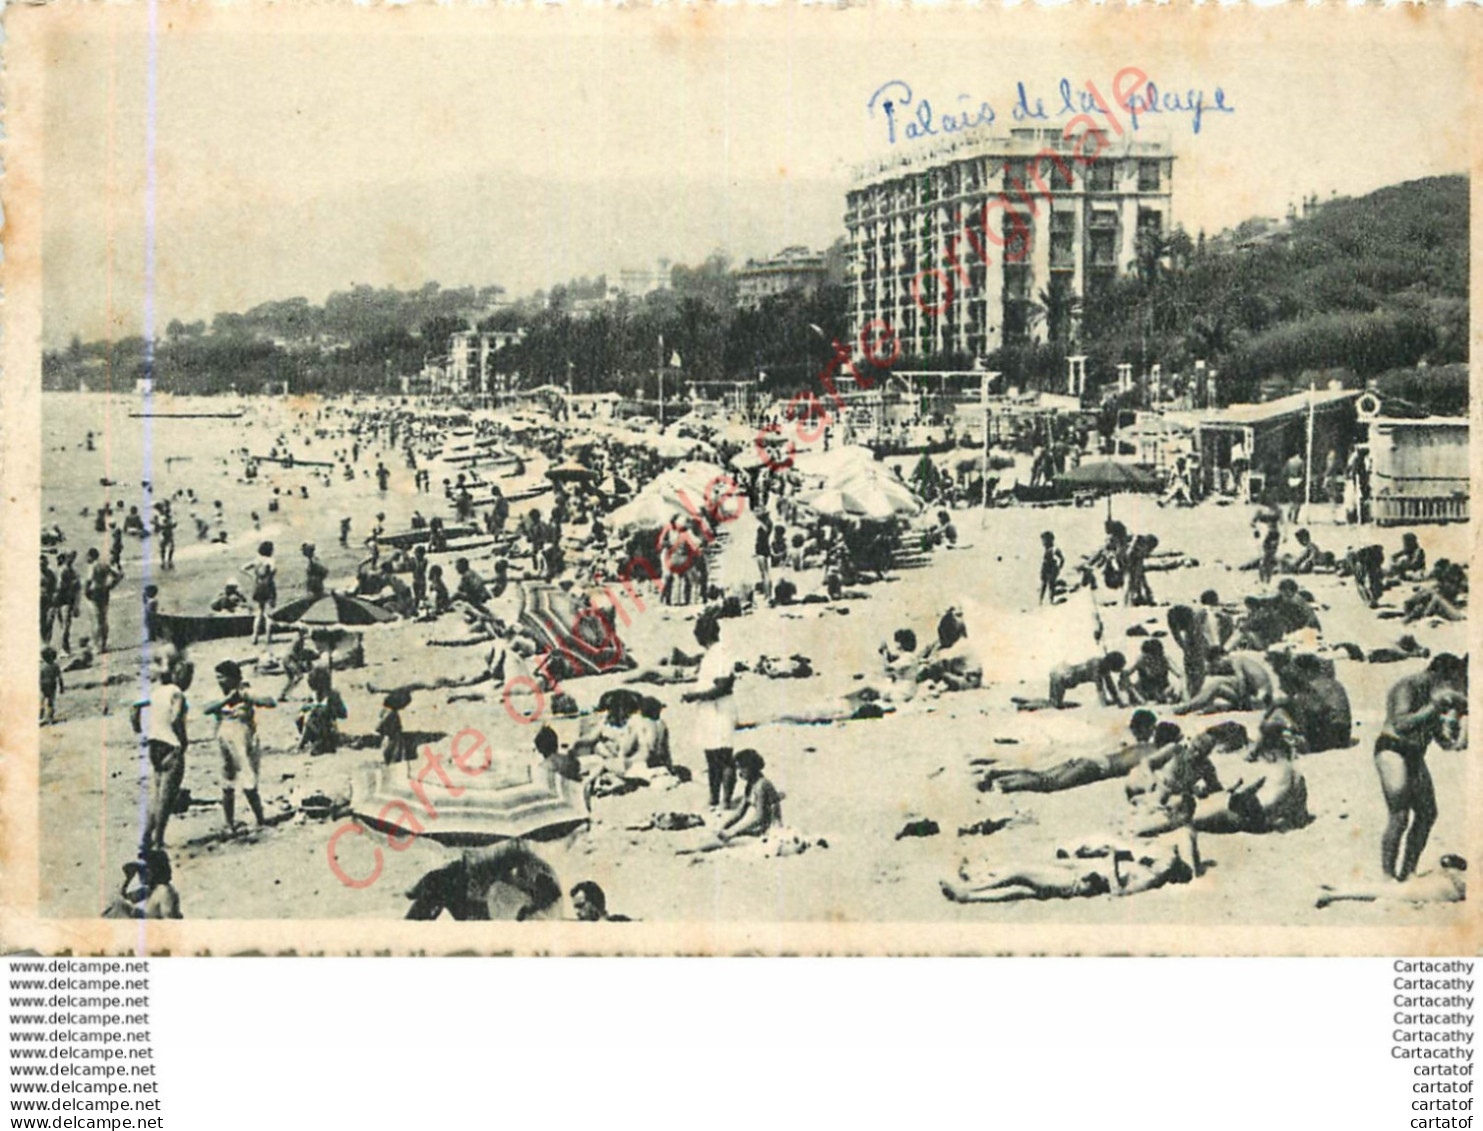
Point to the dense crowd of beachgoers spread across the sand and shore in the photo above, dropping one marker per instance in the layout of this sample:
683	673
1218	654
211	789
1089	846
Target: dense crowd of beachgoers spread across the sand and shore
503	551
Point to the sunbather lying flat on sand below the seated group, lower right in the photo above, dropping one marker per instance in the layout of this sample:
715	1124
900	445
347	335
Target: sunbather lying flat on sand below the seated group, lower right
1119	871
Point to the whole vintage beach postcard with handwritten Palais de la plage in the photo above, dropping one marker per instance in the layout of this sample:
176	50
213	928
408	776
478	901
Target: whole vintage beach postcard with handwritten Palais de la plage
738	480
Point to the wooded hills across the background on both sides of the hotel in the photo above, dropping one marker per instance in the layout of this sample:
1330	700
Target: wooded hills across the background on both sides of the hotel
1356	288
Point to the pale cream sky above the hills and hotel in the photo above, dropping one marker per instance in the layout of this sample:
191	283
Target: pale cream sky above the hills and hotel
300	153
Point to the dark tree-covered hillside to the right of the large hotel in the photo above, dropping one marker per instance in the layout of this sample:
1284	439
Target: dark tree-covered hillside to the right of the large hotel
1361	287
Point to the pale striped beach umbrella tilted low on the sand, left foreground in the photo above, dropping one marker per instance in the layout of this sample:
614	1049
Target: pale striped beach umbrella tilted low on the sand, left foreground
502	797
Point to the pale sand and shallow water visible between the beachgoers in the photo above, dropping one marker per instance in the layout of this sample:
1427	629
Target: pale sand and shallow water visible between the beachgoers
849	785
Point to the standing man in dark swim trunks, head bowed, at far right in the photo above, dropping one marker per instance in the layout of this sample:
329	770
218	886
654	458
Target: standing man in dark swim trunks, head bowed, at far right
1420	709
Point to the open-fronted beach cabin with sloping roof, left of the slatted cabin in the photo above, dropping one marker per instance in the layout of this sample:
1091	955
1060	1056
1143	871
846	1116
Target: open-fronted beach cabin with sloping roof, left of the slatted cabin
1242	448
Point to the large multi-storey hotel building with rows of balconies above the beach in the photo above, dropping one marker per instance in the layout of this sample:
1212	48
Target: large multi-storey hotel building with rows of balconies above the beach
904	213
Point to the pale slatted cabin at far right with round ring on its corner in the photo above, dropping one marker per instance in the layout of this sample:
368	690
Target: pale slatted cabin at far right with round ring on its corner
1420	466
